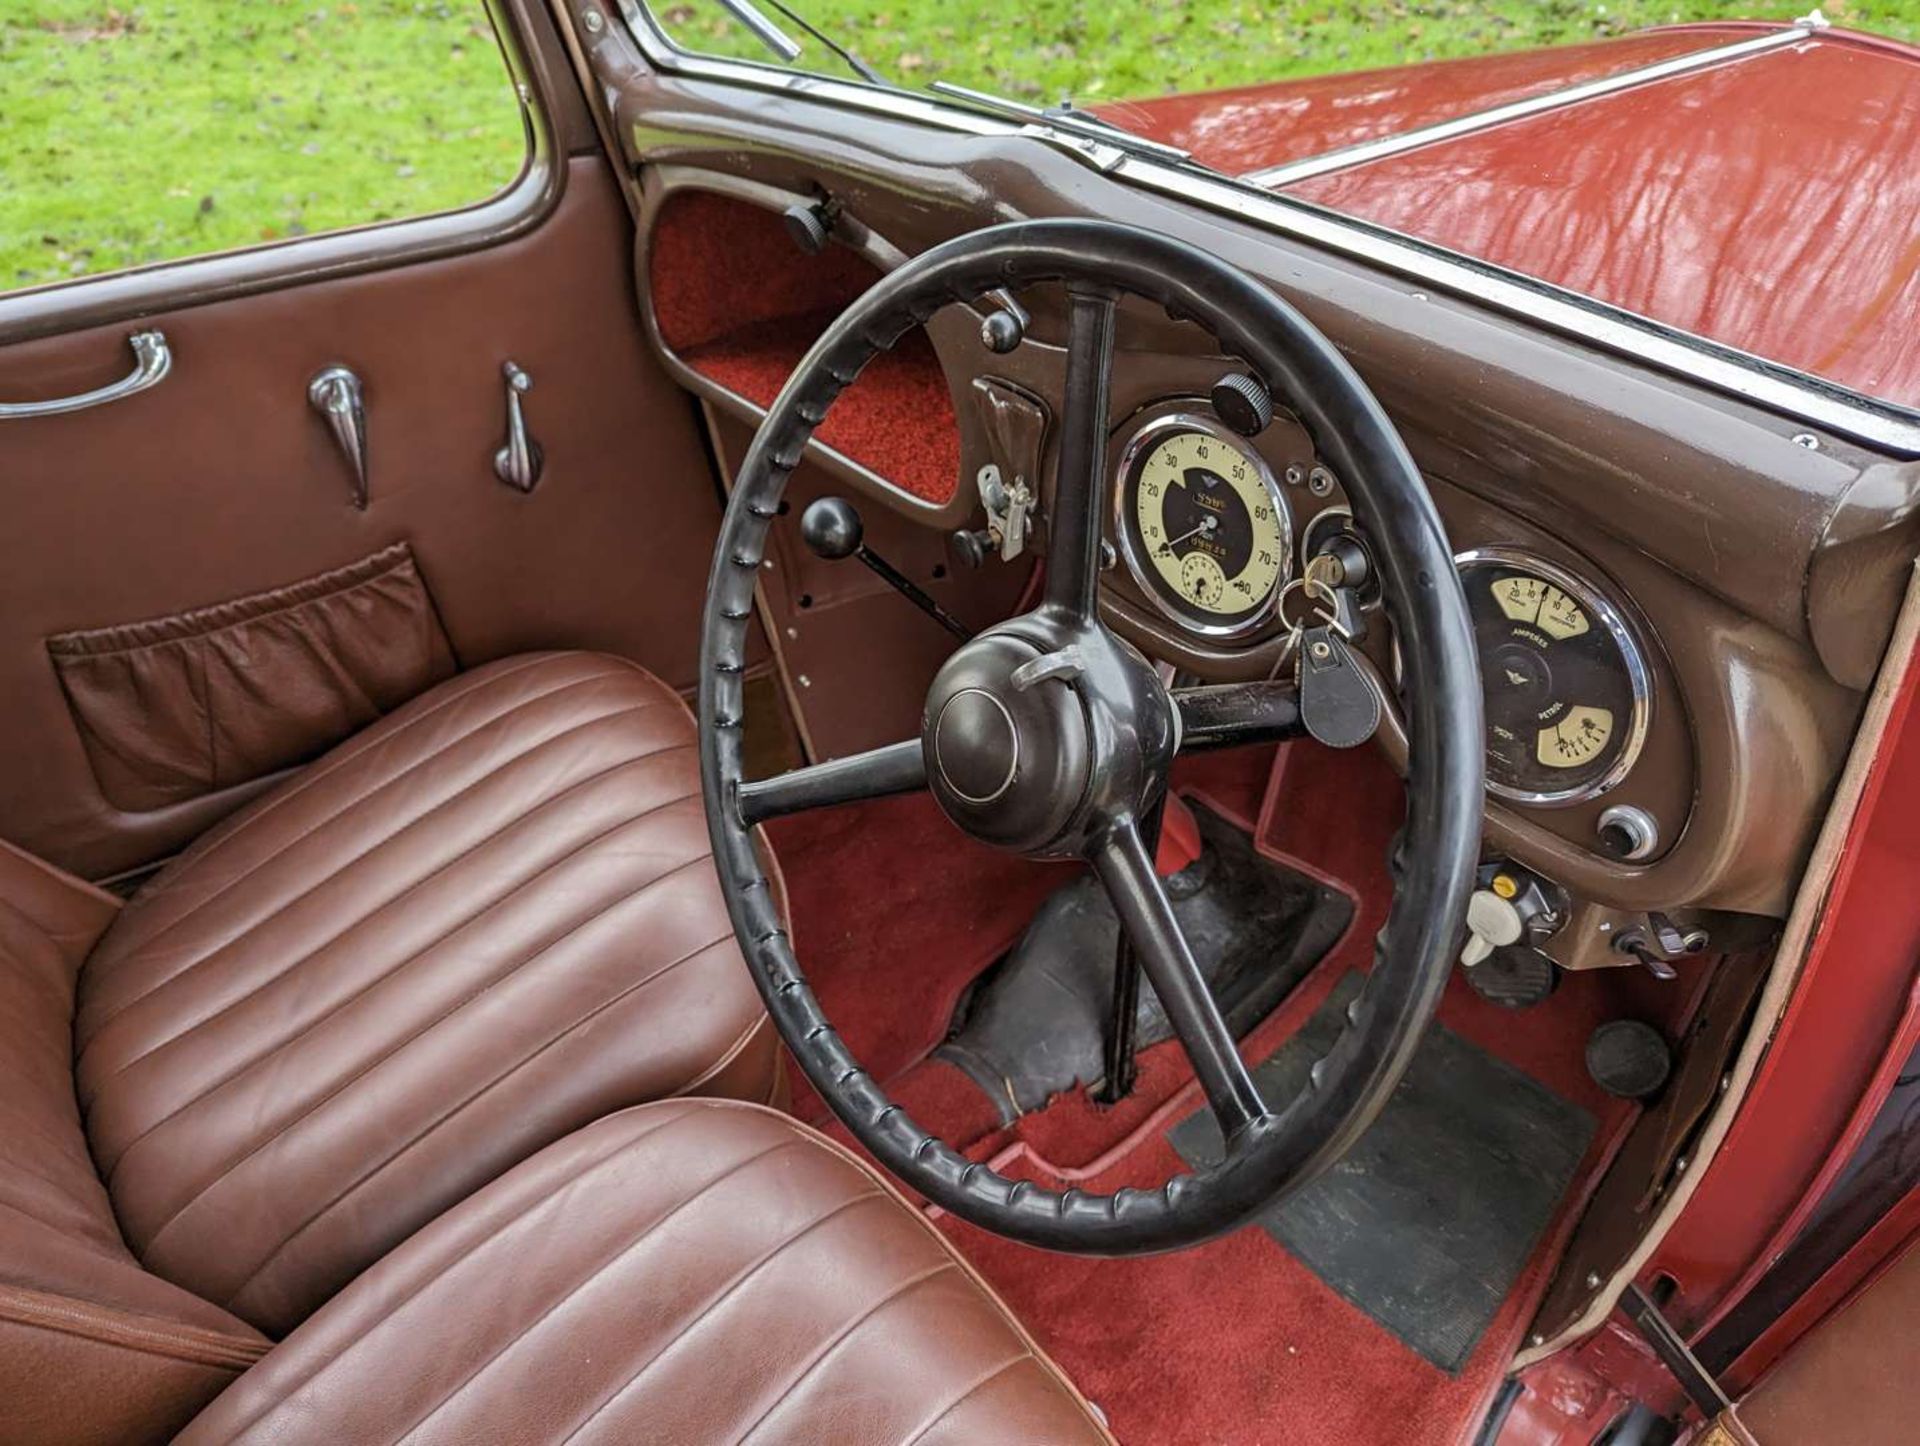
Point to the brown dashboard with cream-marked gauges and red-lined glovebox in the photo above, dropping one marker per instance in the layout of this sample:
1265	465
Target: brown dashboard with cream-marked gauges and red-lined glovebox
1662	717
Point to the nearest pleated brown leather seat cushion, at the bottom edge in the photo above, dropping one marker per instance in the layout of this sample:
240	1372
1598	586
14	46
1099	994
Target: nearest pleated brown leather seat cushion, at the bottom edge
683	1274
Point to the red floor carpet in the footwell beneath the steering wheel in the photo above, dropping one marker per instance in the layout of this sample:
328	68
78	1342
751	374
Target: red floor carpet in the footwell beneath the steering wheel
1236	1343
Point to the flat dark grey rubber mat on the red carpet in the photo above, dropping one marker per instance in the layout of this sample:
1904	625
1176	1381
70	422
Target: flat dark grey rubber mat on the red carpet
1431	1217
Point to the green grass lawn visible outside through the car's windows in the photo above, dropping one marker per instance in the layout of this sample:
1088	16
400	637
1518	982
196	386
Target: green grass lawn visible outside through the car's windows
168	128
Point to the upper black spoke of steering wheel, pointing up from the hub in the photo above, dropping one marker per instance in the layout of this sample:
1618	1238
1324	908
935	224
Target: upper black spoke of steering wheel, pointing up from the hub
1074	531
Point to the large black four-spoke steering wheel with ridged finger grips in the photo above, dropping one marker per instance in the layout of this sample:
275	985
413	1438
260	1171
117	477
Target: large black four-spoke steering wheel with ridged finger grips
1053	738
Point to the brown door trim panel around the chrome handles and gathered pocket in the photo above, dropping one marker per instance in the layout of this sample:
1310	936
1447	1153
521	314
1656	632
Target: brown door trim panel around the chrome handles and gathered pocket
241	489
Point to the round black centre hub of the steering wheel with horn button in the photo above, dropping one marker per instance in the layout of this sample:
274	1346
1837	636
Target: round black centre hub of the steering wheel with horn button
1028	746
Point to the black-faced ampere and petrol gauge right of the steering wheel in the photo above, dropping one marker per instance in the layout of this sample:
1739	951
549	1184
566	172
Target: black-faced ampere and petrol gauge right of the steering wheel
1564	679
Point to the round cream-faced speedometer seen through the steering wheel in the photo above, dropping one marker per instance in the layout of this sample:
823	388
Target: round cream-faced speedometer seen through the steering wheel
1203	525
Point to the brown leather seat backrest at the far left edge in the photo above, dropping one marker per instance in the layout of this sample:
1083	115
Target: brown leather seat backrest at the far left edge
91	1345
